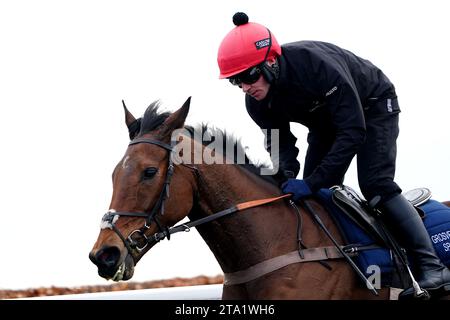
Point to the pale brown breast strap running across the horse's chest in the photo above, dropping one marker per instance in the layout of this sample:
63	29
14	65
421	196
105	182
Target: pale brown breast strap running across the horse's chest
273	264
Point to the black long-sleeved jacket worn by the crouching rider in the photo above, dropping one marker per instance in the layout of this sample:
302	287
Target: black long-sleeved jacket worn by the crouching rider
327	89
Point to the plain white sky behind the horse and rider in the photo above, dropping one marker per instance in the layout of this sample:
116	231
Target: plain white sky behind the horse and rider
66	65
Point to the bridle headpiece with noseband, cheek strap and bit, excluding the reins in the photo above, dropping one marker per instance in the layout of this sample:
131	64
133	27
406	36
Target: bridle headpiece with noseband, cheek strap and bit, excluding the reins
110	218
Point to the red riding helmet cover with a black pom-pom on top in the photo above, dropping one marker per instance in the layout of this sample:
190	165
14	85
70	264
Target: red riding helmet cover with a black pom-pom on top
245	46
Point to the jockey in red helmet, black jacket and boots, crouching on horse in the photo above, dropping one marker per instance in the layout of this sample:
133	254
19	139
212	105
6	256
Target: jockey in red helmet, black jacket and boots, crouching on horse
350	108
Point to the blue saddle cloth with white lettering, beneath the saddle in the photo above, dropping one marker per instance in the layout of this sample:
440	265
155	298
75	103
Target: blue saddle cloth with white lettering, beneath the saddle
436	220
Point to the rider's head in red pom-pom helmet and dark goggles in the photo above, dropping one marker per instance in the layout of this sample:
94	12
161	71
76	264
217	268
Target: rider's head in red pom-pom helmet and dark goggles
247	56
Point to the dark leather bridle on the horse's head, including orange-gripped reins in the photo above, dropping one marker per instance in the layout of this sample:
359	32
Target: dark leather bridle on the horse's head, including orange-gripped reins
131	243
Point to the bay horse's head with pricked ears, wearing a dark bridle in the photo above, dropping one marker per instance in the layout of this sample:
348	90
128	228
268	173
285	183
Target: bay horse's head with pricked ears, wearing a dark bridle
140	207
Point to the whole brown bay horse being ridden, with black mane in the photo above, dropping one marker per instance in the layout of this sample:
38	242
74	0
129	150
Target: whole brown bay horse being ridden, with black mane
152	193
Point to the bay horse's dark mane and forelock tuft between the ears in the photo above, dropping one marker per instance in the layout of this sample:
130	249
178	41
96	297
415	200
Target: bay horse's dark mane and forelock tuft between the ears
153	118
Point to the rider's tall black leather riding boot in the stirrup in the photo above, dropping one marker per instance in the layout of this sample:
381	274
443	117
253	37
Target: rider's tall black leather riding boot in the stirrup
408	229
